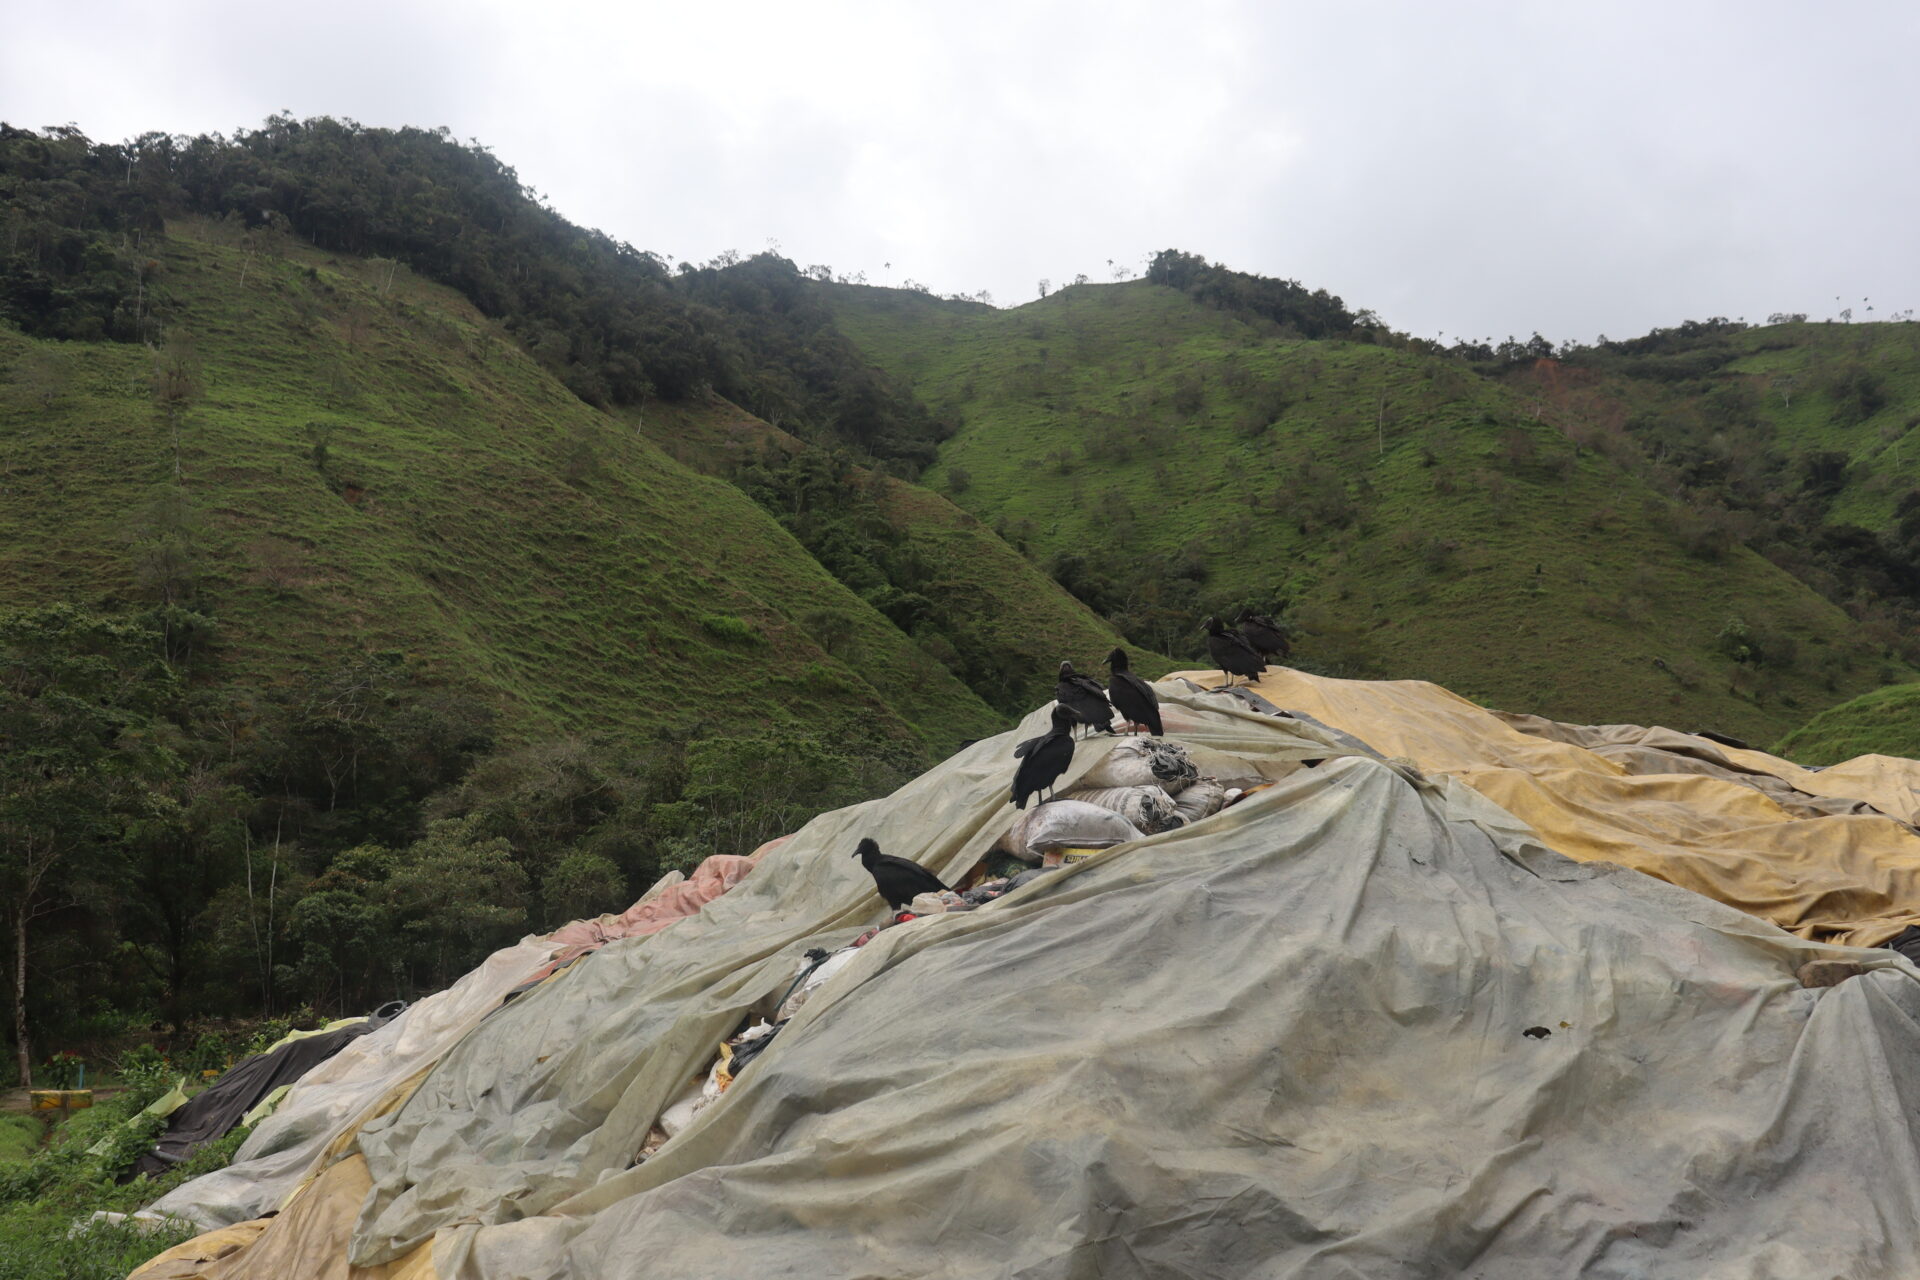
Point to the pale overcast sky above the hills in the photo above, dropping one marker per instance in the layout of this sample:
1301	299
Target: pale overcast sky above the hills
1476	170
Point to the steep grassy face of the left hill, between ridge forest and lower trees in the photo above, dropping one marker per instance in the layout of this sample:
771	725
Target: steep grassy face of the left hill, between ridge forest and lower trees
473	515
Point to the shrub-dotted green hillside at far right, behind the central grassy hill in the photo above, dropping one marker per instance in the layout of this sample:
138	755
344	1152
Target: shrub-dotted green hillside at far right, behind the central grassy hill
1790	439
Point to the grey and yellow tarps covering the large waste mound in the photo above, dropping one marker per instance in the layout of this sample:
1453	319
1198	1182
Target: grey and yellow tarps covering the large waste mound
1362	1022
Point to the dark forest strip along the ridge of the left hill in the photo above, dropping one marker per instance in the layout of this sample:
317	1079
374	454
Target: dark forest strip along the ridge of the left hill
615	323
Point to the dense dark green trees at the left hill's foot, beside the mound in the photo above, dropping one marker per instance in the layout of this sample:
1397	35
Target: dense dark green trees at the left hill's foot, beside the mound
176	847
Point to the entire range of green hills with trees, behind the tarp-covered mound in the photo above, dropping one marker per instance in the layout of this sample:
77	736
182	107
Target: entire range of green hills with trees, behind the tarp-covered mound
393	567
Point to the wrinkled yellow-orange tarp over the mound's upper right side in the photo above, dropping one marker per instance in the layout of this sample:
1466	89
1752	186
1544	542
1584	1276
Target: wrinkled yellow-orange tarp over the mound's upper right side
1721	820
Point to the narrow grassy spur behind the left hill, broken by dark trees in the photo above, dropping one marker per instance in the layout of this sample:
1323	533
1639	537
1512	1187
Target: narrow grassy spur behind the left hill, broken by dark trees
1015	604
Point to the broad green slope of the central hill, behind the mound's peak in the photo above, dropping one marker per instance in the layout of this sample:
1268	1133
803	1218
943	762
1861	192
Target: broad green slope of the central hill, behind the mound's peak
1577	640
